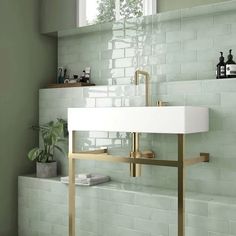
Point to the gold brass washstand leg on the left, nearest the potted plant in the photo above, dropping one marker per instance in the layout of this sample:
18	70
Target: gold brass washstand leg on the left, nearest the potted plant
71	186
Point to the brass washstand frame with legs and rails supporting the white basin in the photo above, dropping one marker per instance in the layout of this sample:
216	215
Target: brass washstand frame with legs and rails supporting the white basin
102	155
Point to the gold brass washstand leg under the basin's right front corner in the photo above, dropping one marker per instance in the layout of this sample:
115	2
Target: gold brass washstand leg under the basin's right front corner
181	185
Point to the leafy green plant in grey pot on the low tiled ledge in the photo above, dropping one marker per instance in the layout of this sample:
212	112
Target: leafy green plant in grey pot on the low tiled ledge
53	135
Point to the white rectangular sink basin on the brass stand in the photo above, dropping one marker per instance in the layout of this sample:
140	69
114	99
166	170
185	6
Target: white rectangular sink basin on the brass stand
169	119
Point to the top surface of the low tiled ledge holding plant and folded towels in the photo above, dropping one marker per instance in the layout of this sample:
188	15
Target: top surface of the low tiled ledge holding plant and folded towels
144	190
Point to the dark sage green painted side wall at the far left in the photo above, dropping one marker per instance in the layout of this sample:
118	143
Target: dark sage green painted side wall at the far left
27	63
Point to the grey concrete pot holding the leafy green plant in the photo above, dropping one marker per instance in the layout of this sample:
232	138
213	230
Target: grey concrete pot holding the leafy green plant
46	170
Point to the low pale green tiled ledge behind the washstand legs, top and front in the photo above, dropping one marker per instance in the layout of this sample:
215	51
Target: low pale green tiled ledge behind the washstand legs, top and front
118	209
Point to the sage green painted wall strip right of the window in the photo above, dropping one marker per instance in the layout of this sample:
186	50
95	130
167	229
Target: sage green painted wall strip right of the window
167	5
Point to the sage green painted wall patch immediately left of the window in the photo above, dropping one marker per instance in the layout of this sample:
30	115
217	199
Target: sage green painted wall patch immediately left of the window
57	15
